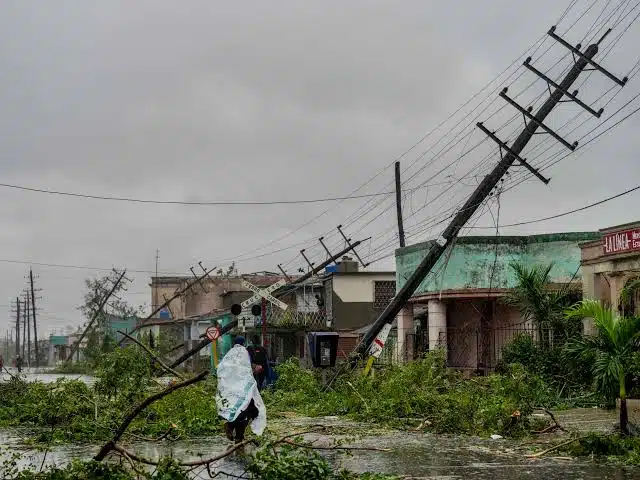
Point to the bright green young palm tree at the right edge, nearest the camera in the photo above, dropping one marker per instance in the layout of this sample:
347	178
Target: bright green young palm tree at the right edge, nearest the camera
609	352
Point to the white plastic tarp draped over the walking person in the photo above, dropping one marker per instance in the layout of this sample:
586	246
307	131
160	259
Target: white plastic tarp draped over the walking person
237	387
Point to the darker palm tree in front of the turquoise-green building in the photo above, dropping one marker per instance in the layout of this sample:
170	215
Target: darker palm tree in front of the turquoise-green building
537	301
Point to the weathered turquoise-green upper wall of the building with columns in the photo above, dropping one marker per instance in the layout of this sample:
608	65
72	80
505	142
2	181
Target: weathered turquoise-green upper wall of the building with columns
470	263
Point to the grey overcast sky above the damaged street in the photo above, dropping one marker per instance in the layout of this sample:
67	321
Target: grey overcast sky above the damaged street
288	100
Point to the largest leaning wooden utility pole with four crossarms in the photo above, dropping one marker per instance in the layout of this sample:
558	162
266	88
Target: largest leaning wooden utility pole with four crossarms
581	60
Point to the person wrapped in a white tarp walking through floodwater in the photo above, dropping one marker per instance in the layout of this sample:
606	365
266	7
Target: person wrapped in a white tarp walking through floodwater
238	398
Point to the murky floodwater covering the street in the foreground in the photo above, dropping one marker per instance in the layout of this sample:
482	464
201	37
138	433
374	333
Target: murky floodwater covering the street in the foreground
414	455
